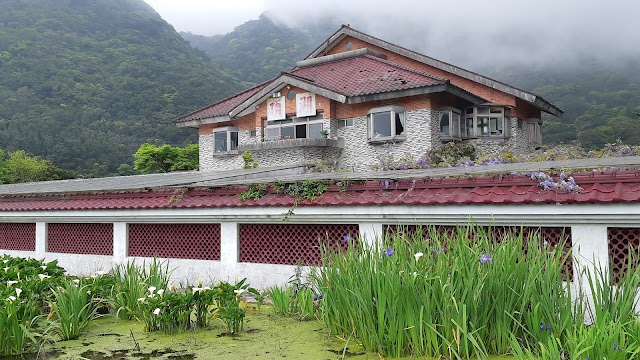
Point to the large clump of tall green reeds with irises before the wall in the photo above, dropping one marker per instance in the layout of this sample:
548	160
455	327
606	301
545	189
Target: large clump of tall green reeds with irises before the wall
456	295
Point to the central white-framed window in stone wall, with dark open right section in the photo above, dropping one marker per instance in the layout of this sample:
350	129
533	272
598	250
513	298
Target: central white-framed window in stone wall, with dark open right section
386	123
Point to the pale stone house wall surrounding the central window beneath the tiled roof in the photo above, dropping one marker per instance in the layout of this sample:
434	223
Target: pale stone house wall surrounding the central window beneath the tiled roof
360	155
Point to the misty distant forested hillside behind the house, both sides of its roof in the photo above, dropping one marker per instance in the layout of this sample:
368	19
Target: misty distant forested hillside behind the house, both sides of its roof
601	99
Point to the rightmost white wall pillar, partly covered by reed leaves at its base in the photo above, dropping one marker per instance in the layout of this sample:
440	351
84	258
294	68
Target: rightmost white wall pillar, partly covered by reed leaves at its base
590	254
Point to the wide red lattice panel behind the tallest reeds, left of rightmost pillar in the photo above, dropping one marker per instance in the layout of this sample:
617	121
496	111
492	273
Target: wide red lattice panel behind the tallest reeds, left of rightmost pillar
553	236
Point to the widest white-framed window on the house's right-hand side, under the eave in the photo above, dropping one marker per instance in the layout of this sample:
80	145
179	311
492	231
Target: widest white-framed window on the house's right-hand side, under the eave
485	121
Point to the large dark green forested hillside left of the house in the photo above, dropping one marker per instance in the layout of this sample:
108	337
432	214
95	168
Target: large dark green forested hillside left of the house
85	83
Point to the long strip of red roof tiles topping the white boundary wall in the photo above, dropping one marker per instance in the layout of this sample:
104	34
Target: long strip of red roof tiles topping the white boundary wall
598	188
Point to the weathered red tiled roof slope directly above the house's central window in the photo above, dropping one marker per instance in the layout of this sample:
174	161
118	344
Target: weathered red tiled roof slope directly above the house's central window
365	75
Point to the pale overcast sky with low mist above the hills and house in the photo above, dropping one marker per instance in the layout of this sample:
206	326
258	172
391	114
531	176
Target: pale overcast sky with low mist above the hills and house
455	30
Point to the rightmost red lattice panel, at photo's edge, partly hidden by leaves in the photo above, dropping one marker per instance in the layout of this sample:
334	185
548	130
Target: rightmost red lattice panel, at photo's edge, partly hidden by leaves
621	240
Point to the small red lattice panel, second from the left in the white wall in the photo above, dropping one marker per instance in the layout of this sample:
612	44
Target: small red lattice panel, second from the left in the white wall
92	239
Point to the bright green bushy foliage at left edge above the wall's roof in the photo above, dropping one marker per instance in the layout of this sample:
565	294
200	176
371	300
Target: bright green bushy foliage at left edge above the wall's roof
18	167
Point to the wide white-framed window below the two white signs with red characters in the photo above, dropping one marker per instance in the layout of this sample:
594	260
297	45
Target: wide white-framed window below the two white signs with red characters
295	128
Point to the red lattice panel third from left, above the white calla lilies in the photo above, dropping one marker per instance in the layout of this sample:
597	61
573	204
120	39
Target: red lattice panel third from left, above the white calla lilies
176	241
